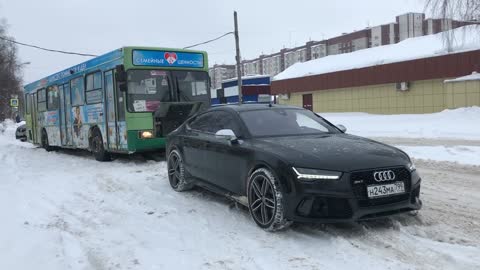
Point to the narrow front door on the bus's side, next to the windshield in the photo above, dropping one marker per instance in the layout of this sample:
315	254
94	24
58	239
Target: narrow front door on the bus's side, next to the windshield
111	112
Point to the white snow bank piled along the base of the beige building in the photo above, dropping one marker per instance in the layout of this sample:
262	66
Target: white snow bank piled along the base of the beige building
462	123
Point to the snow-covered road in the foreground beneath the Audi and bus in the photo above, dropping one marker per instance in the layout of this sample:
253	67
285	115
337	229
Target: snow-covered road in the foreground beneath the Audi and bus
64	210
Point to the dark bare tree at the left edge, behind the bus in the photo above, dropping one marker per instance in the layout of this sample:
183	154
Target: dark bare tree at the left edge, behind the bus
10	81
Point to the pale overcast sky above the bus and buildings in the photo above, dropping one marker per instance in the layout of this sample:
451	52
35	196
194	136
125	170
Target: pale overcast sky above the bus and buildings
100	26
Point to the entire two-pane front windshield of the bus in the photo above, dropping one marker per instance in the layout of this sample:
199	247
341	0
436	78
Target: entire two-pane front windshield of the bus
148	88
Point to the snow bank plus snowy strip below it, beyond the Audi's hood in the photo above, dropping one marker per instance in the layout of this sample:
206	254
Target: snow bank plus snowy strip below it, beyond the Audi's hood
450	135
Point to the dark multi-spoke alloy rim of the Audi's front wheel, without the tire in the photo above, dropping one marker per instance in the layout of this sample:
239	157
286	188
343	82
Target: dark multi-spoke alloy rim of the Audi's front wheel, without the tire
263	200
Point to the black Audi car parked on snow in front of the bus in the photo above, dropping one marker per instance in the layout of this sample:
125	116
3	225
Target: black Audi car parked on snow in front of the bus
289	164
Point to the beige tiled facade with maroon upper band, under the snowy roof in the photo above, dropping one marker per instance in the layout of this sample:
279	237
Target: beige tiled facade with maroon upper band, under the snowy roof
415	86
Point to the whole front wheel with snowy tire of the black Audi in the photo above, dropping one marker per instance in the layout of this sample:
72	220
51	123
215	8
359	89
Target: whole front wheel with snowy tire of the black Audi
265	201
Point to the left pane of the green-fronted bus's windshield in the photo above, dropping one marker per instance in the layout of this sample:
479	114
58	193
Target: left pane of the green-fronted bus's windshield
146	89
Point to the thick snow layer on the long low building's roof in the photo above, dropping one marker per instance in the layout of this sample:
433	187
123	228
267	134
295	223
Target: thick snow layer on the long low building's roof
464	39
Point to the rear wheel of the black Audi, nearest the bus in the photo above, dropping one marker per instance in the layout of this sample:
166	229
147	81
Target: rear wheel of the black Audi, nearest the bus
176	172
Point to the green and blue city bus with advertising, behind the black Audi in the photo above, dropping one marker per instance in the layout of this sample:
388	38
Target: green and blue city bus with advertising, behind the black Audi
125	101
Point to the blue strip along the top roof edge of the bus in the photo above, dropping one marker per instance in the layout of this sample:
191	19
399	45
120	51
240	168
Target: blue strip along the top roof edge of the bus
111	57
